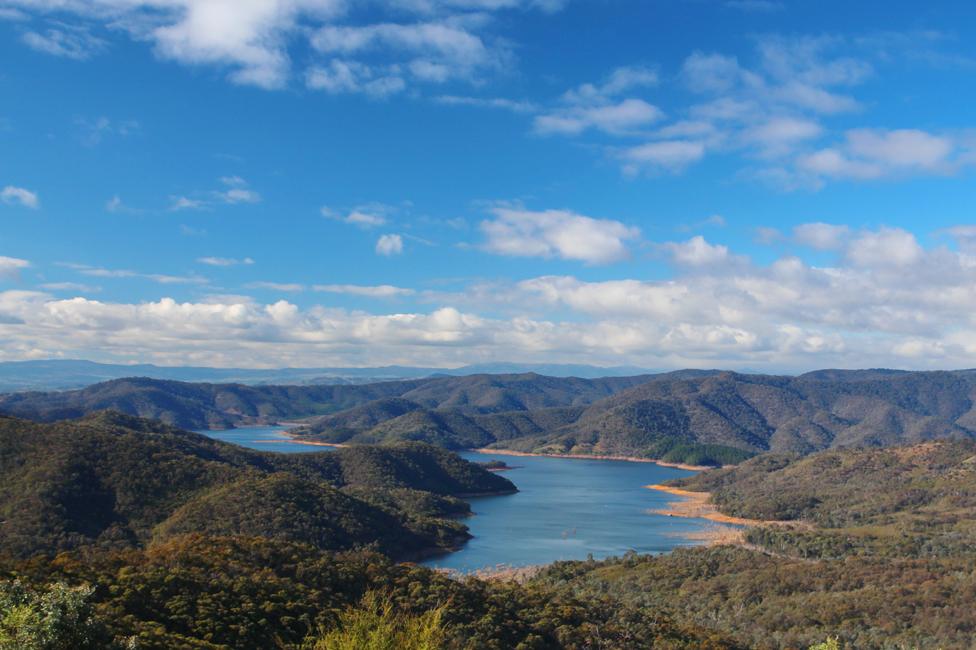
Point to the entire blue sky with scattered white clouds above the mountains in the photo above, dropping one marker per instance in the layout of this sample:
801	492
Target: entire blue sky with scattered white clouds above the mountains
758	185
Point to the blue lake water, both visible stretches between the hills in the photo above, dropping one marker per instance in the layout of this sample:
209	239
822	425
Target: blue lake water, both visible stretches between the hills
566	508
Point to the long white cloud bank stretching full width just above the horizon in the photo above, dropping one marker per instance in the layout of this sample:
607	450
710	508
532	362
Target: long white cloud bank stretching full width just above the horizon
886	302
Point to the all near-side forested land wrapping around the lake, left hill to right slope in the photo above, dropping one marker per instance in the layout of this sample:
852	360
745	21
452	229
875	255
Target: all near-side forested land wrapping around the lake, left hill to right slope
122	532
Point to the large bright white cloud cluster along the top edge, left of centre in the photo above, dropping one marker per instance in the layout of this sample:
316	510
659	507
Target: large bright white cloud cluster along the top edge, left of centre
251	40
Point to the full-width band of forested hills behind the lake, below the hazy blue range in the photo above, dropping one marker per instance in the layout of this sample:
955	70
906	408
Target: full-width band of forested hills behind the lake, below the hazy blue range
691	416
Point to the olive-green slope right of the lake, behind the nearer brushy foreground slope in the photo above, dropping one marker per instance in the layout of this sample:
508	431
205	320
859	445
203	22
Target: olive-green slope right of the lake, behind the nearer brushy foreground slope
917	500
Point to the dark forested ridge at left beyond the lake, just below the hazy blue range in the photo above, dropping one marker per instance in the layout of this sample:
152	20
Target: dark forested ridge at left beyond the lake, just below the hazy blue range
216	406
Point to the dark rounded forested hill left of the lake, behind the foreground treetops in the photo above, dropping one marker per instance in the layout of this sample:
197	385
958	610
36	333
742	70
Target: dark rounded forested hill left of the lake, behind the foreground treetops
115	481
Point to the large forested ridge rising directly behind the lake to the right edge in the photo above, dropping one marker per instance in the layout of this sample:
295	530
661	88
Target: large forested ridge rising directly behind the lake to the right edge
706	418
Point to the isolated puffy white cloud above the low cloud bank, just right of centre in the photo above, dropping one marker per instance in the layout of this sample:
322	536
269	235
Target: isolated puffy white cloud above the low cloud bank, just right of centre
556	233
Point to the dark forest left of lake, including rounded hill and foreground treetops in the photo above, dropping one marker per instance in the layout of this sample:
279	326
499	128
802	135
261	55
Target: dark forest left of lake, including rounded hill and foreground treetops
124	532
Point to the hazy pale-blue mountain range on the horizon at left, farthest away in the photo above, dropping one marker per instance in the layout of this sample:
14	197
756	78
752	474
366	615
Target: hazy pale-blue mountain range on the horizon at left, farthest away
58	374
